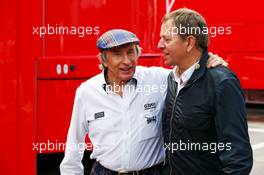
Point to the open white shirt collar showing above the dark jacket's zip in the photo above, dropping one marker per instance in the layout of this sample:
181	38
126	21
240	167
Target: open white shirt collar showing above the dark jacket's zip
185	76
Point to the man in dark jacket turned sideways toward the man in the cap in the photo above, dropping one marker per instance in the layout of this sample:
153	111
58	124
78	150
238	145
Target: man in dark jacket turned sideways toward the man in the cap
204	120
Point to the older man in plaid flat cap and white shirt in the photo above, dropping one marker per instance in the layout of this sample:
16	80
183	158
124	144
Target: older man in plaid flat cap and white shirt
122	121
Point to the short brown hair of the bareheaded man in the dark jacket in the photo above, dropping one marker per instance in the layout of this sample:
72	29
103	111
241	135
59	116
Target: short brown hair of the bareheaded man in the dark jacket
193	22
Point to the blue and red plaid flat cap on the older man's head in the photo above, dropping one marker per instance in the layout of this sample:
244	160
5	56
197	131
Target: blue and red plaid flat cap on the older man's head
114	38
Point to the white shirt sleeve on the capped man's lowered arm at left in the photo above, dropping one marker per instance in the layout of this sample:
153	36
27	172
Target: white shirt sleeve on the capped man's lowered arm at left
75	145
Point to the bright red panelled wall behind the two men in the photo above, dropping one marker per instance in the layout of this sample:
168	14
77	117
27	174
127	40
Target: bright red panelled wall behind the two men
36	102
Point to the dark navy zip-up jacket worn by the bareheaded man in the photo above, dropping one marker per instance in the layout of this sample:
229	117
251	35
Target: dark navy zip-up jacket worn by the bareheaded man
208	112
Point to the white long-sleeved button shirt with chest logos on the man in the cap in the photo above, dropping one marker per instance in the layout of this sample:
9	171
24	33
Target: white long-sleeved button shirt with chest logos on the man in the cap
126	132
